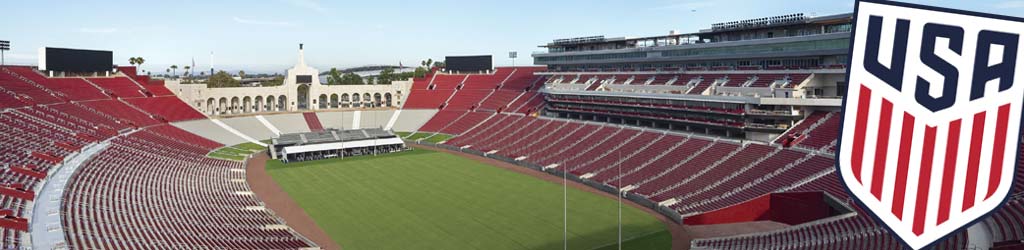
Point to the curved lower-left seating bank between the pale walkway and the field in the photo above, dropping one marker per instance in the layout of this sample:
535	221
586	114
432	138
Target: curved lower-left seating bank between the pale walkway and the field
170	187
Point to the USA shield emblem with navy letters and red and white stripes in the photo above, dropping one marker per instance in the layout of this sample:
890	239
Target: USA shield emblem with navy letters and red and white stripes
932	117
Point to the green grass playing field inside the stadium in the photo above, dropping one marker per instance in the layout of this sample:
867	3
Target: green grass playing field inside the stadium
432	200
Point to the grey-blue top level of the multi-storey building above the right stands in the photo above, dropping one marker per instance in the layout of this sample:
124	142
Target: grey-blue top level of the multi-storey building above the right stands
785	36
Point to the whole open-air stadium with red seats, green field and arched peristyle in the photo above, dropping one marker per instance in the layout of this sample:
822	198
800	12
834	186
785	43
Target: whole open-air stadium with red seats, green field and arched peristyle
720	139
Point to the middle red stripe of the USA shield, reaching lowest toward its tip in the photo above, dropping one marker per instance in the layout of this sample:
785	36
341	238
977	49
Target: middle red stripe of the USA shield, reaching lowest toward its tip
924	180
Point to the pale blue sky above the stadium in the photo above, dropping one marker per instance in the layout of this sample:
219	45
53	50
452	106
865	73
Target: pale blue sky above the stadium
263	35
